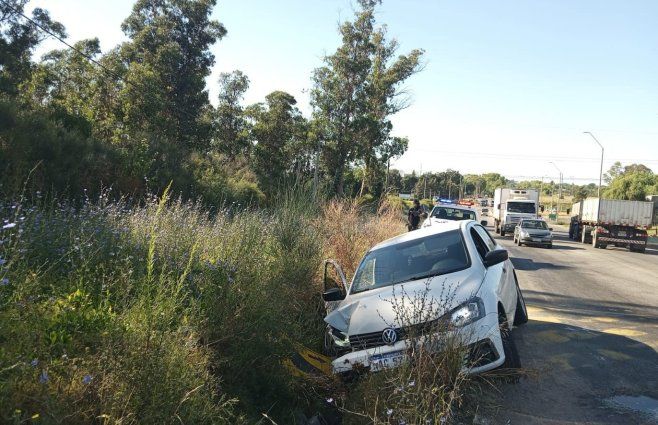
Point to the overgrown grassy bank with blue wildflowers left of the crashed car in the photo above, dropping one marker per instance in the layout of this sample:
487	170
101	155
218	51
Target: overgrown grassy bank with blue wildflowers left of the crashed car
161	313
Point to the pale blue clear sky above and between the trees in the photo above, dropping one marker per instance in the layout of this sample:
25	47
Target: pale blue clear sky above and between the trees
507	87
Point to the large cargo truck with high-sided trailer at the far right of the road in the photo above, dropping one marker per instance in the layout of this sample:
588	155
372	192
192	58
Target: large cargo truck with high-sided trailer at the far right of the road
618	222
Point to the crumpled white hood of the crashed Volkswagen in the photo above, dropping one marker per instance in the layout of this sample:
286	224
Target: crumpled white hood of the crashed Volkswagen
405	303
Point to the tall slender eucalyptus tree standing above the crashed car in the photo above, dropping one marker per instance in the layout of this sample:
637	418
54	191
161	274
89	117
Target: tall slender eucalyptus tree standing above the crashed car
355	92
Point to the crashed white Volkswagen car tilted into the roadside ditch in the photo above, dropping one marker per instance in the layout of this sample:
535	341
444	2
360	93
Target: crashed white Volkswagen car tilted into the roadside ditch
452	257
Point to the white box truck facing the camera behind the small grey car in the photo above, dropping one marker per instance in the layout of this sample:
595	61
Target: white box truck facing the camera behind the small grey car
512	205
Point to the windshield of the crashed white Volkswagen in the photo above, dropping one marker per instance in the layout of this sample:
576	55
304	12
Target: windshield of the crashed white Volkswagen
417	259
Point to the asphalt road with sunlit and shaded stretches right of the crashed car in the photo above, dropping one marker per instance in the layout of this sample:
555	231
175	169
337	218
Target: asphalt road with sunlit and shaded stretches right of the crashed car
592	335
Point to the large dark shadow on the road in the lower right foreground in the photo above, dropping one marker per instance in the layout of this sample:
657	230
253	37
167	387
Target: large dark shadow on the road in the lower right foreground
571	371
